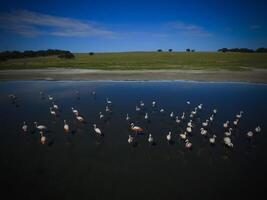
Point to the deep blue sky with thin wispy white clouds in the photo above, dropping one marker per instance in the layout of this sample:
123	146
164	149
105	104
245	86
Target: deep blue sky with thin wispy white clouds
83	26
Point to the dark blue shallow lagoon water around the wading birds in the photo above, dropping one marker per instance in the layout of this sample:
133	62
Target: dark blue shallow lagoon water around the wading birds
82	165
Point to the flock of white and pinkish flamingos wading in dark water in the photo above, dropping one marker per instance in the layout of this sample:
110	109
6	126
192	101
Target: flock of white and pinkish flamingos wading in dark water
188	119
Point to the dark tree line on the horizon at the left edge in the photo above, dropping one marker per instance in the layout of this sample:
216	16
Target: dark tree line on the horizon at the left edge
6	55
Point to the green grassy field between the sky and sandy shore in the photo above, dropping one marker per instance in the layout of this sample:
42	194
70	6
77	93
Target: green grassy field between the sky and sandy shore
146	60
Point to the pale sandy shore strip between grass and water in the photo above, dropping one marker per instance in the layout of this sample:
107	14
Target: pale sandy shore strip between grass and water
256	75
